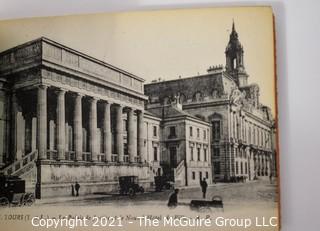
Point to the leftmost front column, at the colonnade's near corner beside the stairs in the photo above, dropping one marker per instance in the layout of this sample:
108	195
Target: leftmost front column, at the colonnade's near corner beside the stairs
42	122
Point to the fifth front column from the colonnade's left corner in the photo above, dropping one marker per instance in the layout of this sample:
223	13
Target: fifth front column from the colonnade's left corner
107	132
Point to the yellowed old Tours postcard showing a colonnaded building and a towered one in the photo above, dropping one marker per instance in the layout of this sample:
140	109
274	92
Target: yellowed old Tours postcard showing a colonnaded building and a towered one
139	120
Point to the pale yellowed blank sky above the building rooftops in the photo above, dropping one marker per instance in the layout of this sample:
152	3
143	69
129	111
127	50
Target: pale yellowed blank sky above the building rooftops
165	44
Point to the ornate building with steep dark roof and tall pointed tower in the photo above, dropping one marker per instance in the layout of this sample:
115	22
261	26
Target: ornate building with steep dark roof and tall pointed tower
241	127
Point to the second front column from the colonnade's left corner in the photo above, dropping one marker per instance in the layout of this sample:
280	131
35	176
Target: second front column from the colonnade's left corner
61	133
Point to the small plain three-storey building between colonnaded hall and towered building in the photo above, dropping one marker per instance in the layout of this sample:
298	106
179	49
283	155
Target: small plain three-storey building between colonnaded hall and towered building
185	145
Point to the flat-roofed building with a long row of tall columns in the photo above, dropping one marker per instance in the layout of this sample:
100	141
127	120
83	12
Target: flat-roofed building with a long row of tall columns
68	117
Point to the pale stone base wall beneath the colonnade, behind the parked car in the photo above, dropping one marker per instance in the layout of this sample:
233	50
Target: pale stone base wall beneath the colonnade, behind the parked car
57	177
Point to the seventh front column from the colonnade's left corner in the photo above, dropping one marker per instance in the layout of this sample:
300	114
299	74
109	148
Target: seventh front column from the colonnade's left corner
132	140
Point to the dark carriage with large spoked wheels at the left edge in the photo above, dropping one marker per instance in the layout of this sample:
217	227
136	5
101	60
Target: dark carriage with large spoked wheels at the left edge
12	192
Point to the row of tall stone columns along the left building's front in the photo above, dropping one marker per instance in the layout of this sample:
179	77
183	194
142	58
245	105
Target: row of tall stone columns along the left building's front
135	133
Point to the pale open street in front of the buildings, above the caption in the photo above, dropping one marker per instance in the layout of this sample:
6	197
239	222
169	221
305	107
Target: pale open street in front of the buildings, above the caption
251	200
